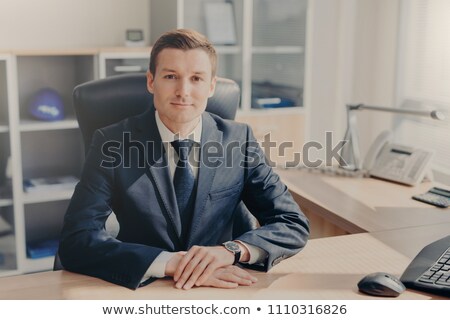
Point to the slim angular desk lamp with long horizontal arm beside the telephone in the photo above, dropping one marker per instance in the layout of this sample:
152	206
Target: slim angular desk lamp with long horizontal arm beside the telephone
350	153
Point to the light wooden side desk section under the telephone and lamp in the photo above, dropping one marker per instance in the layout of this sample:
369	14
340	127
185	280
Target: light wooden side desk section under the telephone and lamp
339	205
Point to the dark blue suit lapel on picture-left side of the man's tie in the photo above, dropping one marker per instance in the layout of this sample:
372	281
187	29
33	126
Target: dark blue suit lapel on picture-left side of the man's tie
157	162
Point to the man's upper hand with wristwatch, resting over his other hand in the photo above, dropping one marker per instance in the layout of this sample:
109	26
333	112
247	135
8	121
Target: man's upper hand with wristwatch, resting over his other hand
199	263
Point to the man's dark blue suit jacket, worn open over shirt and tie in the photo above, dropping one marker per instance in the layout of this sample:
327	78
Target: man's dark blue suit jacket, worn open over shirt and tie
126	172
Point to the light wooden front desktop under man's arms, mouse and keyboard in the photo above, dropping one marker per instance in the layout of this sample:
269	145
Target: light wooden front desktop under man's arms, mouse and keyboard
327	268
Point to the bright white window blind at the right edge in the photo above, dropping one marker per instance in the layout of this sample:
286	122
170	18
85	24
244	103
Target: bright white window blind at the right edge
423	76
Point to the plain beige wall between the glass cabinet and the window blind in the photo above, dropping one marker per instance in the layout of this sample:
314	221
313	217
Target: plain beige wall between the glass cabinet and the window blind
351	59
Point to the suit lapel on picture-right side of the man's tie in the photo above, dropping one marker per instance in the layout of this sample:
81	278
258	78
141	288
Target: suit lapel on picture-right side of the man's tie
206	173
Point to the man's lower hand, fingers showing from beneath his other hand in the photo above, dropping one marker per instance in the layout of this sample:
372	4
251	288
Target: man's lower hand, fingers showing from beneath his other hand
229	277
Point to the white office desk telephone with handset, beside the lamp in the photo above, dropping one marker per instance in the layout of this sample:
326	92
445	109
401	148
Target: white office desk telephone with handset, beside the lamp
396	162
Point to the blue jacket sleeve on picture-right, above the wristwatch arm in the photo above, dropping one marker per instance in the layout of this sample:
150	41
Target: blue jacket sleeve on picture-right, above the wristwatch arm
284	228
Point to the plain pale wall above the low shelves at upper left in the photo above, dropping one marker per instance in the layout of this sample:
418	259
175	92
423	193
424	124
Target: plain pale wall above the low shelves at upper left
49	24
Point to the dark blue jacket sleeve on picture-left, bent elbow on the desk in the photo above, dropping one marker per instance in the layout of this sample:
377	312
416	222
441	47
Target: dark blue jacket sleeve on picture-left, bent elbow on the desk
85	246
